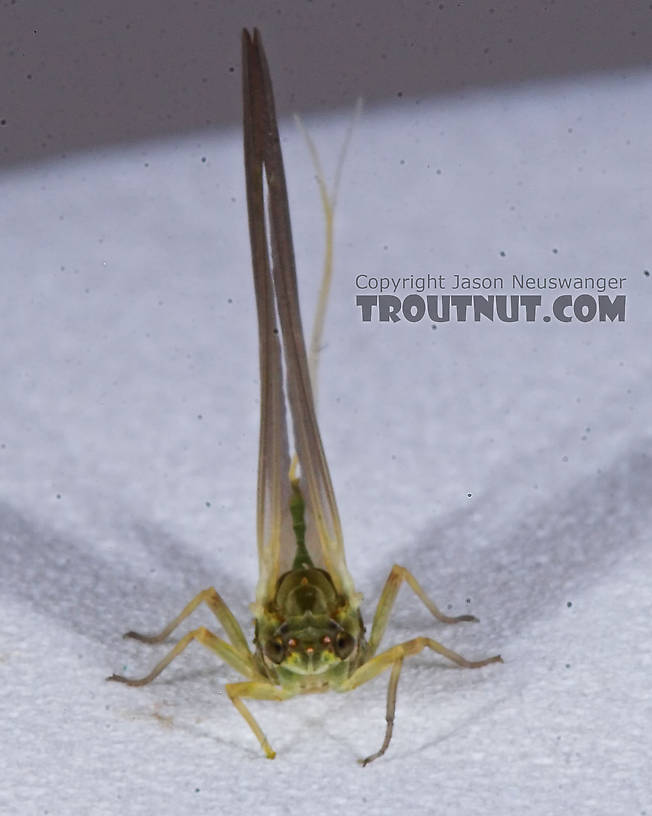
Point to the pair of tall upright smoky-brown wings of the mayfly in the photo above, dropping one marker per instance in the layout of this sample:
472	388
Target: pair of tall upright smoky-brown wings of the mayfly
277	296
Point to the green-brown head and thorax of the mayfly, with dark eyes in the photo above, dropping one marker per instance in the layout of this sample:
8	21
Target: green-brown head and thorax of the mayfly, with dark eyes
308	635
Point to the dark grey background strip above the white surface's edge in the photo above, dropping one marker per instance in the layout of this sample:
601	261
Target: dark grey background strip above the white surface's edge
78	74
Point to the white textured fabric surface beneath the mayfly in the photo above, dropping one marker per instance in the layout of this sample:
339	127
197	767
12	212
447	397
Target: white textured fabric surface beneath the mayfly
129	430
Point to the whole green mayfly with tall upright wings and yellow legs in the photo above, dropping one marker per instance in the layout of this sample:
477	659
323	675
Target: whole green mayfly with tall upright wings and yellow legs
309	636
